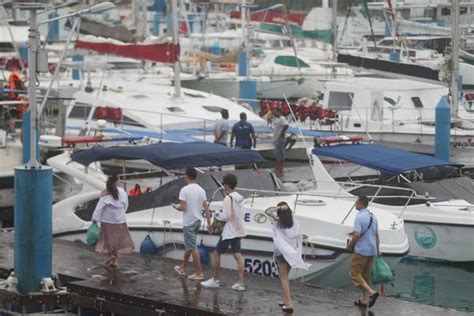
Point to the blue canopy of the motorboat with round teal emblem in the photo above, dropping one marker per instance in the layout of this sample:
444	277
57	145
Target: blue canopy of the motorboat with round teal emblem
384	159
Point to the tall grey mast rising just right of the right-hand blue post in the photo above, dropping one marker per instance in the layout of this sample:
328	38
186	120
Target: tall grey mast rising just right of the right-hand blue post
455	44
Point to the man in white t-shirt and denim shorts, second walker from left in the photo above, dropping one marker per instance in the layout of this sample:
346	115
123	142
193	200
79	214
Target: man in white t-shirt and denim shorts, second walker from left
192	200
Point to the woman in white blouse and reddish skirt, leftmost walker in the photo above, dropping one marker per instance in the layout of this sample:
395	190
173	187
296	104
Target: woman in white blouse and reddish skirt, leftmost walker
114	238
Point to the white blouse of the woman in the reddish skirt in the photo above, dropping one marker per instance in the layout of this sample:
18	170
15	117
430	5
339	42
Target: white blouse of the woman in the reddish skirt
110	210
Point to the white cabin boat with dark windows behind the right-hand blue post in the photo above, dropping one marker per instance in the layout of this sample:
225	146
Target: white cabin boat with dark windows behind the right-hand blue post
395	112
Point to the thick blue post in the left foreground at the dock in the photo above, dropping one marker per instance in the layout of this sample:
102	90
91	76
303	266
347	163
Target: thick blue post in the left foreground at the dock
33	226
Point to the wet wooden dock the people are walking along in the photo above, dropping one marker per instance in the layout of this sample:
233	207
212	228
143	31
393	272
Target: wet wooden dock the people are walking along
150	286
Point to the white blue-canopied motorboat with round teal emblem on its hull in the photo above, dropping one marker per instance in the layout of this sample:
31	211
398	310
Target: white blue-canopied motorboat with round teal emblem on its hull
435	202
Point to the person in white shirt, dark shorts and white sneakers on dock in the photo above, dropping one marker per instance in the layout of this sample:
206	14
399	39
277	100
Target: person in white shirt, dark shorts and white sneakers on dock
233	213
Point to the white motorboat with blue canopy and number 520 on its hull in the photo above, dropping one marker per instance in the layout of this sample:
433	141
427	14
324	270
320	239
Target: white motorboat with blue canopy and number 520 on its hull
326	221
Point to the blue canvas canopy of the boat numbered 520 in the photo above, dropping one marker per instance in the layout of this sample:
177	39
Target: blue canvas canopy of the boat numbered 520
172	155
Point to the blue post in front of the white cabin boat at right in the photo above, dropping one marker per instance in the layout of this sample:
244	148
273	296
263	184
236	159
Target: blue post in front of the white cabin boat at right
442	129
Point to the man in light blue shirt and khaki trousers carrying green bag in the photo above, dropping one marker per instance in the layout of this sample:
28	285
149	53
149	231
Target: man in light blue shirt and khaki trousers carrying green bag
364	243
